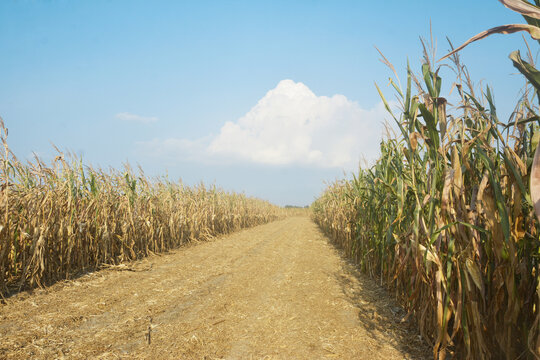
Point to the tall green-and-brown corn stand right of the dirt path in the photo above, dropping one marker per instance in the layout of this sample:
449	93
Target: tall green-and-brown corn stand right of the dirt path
444	218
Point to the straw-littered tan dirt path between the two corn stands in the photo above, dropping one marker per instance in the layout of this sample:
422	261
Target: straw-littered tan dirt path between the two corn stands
277	291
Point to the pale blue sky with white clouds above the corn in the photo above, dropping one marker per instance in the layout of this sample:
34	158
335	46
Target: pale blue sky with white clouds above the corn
203	90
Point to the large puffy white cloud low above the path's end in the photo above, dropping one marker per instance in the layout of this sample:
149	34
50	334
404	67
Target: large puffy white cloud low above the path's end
290	125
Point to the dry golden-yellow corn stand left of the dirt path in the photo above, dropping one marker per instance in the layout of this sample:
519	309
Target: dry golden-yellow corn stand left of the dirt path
60	220
